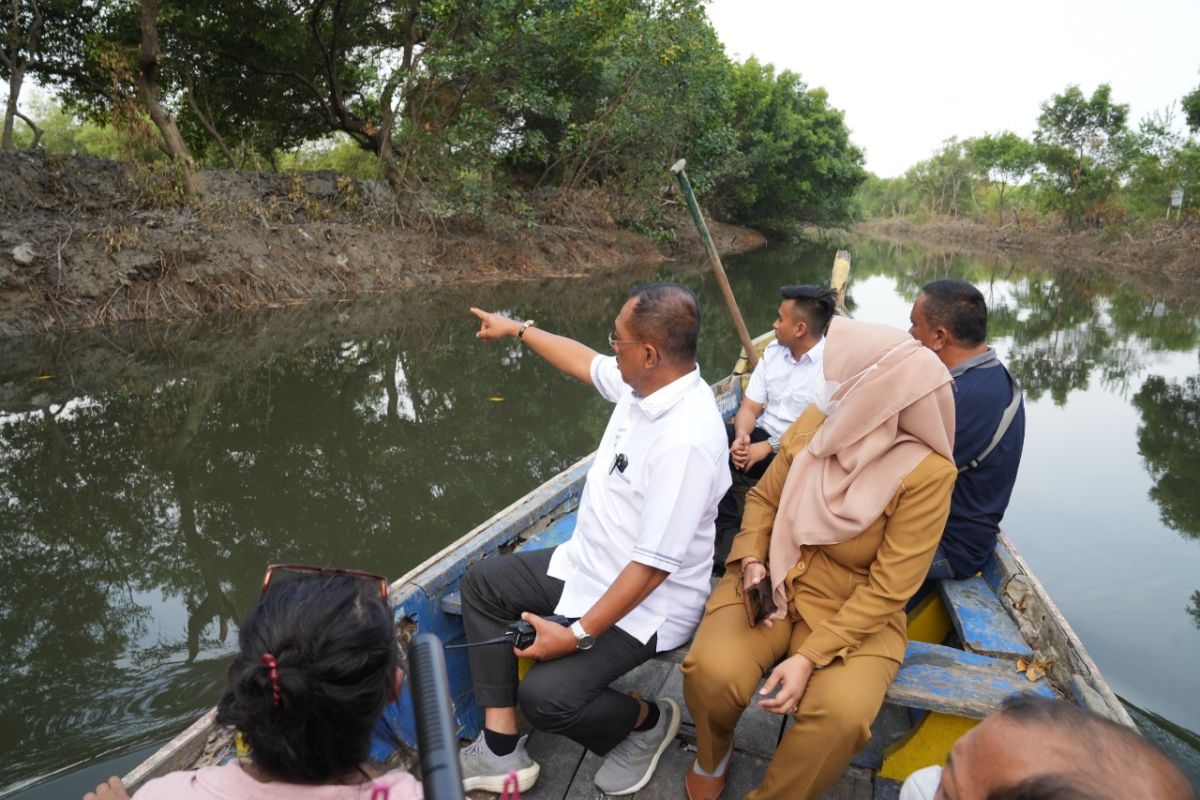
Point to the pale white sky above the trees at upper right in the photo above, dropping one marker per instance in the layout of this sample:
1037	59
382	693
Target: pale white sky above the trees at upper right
910	75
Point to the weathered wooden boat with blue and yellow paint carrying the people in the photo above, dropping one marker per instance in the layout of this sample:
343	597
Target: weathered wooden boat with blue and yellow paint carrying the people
967	646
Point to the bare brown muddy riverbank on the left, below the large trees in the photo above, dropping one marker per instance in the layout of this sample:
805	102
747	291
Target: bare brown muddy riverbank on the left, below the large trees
87	243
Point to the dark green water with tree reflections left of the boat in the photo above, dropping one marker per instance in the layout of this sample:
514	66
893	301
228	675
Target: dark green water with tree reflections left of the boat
361	452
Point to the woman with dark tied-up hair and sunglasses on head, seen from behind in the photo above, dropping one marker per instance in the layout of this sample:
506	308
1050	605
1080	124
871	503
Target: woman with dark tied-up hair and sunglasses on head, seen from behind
317	663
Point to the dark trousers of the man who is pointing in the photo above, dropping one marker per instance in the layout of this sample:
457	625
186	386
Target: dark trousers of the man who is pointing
568	696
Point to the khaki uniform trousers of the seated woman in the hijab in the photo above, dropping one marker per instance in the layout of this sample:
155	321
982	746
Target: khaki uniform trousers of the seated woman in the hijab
722	672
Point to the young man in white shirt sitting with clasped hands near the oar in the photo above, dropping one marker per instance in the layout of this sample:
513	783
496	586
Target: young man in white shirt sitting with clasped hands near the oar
782	387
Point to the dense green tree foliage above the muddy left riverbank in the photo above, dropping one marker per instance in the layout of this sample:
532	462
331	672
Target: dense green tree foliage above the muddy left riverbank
459	103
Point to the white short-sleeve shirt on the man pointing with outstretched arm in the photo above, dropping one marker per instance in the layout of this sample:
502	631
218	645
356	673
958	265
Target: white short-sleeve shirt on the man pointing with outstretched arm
659	510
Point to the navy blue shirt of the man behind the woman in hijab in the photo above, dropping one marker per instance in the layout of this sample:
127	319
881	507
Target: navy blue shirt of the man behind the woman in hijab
982	393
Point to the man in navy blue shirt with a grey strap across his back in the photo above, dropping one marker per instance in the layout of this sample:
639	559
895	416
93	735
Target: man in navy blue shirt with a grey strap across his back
951	318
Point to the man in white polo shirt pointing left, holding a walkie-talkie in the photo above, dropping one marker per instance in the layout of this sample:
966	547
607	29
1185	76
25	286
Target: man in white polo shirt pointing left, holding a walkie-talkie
635	574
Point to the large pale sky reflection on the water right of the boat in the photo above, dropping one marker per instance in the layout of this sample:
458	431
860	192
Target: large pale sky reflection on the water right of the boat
1082	515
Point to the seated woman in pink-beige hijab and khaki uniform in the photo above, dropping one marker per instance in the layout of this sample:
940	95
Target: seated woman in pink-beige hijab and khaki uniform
843	528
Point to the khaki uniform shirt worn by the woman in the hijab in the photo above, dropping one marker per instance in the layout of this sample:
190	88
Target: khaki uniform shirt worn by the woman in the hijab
851	596
